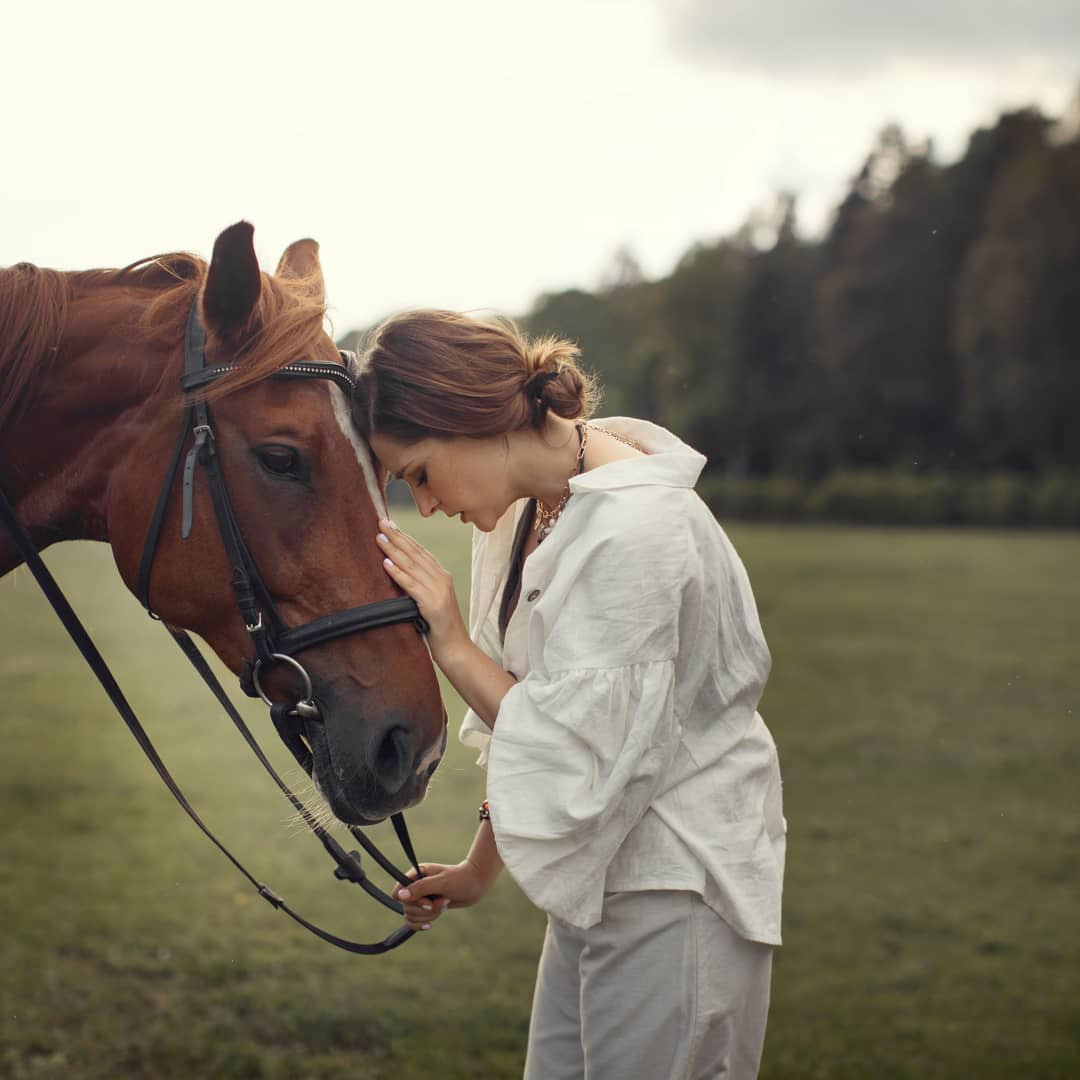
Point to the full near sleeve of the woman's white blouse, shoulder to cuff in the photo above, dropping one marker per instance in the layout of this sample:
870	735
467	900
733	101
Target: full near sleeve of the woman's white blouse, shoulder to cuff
583	744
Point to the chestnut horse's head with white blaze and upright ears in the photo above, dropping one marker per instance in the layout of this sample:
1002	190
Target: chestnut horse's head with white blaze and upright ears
306	494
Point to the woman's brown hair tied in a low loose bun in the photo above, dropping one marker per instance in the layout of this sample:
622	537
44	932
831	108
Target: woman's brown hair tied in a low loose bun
440	373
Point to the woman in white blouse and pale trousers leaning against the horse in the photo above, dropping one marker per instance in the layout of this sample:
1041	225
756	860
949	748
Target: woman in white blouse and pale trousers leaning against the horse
613	671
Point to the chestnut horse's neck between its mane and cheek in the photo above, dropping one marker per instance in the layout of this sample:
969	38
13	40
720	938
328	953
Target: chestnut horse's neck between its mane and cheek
85	414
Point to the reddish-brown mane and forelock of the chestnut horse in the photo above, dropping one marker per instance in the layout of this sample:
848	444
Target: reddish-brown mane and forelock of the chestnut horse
288	321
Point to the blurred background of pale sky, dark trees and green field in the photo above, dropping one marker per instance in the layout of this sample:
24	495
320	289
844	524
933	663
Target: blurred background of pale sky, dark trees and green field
834	246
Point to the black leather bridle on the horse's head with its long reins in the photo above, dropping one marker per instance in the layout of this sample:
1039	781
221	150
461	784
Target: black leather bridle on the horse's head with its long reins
273	642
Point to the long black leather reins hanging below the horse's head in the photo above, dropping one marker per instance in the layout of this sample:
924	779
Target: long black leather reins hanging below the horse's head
349	868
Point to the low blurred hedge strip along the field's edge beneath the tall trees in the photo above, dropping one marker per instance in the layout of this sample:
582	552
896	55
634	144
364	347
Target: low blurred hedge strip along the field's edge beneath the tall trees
898	497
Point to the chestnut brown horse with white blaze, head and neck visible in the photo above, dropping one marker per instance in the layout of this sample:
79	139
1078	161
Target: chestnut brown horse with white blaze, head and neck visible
90	409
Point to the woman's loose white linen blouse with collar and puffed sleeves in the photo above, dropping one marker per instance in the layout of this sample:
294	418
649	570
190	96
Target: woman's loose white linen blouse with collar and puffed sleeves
630	755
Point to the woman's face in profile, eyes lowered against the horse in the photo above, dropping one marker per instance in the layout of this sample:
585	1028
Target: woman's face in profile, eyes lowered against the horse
464	478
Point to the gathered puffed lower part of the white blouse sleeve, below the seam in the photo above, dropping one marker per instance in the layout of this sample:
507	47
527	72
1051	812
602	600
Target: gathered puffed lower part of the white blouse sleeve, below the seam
574	765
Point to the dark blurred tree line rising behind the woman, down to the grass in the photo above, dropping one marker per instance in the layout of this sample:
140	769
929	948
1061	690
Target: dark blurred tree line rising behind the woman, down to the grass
933	332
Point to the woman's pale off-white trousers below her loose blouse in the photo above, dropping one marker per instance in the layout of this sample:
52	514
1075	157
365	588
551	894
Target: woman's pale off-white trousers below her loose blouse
661	989
